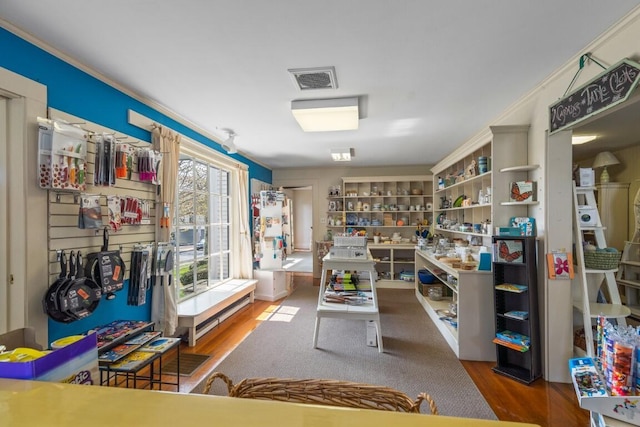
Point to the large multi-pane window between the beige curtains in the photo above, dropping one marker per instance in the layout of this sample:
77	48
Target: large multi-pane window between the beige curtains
202	228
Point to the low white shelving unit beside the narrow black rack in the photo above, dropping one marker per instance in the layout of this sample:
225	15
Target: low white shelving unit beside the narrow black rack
472	291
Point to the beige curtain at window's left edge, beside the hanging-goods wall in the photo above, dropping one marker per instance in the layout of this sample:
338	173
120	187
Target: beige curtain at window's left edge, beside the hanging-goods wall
164	310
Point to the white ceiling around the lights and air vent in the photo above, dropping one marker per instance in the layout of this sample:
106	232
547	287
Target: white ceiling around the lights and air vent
430	74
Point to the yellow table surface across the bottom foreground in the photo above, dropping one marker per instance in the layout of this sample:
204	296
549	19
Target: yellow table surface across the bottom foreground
35	403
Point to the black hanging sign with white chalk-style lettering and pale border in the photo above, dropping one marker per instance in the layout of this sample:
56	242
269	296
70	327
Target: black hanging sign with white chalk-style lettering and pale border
608	89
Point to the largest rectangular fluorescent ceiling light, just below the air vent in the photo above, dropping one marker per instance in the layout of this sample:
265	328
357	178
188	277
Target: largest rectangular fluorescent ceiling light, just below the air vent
320	115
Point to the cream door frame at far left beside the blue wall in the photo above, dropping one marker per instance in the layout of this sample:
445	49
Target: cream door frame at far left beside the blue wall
25	263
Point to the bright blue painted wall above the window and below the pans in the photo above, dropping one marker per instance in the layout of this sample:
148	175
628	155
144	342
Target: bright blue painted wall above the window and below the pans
78	93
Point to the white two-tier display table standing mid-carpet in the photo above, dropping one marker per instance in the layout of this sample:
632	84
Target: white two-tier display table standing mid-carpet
367	311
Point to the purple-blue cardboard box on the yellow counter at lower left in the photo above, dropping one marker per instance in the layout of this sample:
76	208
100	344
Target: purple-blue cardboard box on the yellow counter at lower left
76	363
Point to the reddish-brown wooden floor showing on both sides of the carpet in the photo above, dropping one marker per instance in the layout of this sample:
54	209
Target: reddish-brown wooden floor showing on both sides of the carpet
542	403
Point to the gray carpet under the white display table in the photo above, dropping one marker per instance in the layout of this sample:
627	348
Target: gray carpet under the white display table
416	358
